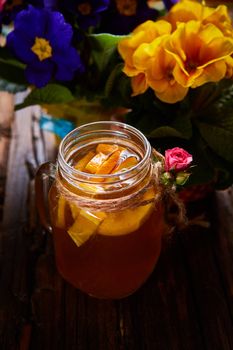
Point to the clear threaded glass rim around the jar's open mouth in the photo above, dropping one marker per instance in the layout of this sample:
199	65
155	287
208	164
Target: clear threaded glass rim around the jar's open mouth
118	126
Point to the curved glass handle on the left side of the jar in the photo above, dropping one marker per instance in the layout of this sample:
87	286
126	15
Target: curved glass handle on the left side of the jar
45	175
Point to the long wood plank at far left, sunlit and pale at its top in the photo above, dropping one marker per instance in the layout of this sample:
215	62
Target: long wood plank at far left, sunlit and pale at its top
15	240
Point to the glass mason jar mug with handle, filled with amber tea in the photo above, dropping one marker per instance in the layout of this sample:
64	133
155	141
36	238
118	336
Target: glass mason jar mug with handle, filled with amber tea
107	228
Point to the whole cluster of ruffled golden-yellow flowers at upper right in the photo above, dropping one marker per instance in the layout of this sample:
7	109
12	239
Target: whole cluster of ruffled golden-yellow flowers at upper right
189	47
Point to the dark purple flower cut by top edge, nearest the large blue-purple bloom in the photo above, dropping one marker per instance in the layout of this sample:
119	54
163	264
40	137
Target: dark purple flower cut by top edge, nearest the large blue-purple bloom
87	11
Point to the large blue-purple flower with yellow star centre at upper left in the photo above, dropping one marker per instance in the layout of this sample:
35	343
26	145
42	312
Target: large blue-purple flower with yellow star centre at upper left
42	40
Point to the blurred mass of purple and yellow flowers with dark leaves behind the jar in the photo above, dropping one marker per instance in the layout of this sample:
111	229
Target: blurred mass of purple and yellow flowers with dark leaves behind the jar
165	67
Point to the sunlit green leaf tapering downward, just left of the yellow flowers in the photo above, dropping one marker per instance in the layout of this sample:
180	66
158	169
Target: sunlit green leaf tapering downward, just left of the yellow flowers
103	47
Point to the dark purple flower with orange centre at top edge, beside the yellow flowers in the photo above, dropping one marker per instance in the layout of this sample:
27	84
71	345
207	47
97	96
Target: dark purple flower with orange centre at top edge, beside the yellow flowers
125	15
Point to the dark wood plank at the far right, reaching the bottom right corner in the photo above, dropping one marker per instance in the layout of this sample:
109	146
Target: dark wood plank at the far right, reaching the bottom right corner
199	245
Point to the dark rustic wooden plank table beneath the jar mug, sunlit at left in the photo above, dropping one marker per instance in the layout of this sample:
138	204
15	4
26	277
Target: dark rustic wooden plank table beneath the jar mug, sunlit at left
187	303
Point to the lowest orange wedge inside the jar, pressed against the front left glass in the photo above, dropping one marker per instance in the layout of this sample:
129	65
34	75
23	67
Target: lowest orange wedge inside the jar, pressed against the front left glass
85	225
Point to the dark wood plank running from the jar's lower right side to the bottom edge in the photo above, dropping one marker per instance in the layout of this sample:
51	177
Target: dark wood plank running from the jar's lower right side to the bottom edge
162	315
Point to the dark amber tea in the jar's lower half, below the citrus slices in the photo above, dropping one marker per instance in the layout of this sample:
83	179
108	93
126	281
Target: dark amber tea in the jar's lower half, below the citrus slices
109	266
